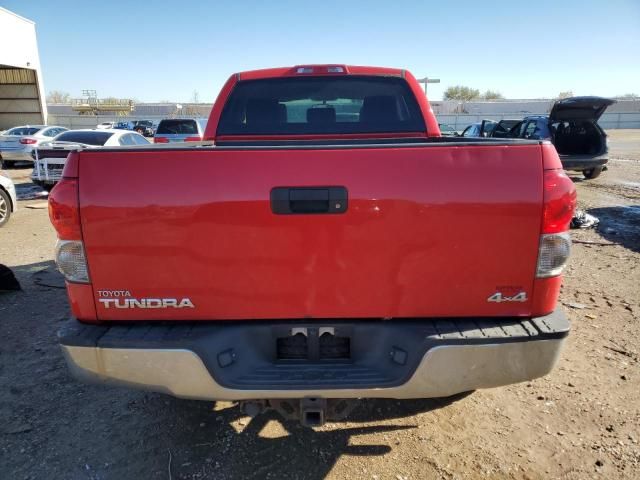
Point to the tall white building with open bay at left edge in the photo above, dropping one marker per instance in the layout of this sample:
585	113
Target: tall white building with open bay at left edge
22	98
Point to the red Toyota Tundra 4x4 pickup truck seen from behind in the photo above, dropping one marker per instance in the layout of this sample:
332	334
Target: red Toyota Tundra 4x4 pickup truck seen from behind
324	242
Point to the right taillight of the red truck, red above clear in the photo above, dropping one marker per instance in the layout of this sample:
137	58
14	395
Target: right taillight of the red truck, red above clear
559	204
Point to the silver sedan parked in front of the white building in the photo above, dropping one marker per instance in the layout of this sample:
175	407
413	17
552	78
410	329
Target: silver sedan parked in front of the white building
16	144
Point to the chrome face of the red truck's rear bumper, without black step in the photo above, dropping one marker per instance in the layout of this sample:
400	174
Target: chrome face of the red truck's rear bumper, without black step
443	371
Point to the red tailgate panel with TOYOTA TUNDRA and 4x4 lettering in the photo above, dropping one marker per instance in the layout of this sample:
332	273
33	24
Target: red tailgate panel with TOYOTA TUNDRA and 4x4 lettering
429	231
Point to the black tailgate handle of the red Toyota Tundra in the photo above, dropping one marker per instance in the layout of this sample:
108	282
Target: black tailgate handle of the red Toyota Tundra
306	200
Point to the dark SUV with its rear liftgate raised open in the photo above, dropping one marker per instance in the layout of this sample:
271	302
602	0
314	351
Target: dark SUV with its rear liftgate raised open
572	126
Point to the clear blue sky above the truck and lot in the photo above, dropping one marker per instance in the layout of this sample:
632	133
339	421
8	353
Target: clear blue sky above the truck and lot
168	49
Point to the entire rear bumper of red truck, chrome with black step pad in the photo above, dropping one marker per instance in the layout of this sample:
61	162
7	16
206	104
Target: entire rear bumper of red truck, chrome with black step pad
388	359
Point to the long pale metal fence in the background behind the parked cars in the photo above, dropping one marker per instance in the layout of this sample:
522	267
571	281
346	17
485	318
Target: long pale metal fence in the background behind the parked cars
457	121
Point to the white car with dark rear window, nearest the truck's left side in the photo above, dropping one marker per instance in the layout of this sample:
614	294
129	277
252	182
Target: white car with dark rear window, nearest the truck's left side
49	159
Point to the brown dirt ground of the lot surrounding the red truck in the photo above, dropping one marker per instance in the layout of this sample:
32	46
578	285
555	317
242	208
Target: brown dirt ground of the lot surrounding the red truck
581	421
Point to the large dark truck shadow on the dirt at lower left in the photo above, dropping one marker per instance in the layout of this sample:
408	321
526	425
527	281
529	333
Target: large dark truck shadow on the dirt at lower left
52	426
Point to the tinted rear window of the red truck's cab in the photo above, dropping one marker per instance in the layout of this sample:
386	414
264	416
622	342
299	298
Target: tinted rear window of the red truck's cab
321	105
